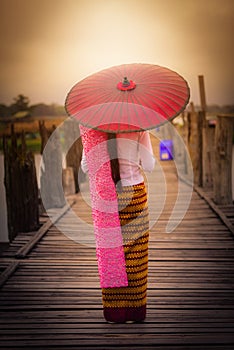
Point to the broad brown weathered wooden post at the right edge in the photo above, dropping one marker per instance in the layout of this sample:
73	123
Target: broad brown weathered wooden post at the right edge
223	159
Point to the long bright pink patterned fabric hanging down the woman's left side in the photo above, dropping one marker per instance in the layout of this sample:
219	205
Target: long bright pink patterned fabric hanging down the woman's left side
107	229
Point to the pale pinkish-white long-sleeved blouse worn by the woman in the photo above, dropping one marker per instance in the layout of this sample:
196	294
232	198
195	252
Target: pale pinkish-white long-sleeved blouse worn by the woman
135	154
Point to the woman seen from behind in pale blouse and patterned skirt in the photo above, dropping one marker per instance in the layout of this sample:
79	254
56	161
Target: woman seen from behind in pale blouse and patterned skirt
130	153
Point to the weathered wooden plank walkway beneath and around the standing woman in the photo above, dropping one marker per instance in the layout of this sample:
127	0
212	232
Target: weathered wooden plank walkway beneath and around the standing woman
52	298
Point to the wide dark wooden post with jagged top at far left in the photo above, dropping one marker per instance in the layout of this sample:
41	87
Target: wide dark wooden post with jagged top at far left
21	187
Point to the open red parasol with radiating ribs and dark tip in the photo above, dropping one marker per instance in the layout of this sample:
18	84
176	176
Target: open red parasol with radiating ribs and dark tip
127	98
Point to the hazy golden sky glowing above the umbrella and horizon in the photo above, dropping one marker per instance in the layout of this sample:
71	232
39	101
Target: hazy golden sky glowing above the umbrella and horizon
49	45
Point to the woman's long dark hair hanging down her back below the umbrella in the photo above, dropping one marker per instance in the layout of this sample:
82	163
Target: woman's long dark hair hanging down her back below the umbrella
112	150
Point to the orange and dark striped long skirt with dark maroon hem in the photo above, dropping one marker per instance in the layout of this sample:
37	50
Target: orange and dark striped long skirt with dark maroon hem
129	303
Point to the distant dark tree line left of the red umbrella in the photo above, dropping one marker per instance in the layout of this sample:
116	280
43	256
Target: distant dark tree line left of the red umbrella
21	103
